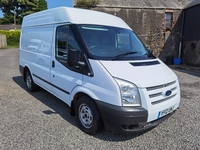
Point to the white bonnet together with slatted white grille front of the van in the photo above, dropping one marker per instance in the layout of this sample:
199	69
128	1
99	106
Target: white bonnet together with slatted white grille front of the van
146	77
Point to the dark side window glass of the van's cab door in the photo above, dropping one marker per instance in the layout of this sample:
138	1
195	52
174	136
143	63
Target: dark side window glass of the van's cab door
65	40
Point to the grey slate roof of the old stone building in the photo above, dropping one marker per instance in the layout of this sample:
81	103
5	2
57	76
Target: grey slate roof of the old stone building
173	4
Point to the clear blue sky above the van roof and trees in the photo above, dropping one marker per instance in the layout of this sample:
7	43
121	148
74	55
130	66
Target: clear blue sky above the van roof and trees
54	3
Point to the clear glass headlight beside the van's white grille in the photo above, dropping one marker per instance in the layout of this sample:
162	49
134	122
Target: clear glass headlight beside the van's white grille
129	93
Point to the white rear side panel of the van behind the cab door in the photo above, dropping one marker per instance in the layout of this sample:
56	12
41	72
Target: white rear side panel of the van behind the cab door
37	54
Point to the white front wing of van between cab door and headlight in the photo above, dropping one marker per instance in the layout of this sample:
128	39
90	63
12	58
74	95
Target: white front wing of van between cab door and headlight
102	84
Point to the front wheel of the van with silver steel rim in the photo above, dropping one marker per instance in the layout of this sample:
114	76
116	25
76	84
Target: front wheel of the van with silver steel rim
87	115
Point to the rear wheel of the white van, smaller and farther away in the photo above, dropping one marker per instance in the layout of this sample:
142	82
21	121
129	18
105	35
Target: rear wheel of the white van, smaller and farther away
31	86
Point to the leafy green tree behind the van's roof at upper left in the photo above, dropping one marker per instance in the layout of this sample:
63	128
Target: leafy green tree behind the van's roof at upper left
15	10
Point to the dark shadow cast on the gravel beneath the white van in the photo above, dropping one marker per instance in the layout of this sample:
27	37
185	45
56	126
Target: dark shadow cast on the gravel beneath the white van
58	107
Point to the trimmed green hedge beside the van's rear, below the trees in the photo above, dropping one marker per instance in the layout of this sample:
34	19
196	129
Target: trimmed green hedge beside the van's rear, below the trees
12	37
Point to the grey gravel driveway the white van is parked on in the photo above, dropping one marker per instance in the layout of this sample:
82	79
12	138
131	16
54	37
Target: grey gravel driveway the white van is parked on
39	121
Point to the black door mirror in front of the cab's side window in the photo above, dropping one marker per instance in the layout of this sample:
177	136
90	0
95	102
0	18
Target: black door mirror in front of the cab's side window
73	58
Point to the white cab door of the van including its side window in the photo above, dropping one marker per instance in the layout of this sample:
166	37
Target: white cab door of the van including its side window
63	79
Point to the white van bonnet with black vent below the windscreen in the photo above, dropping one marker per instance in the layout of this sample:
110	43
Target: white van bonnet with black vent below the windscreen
141	73
